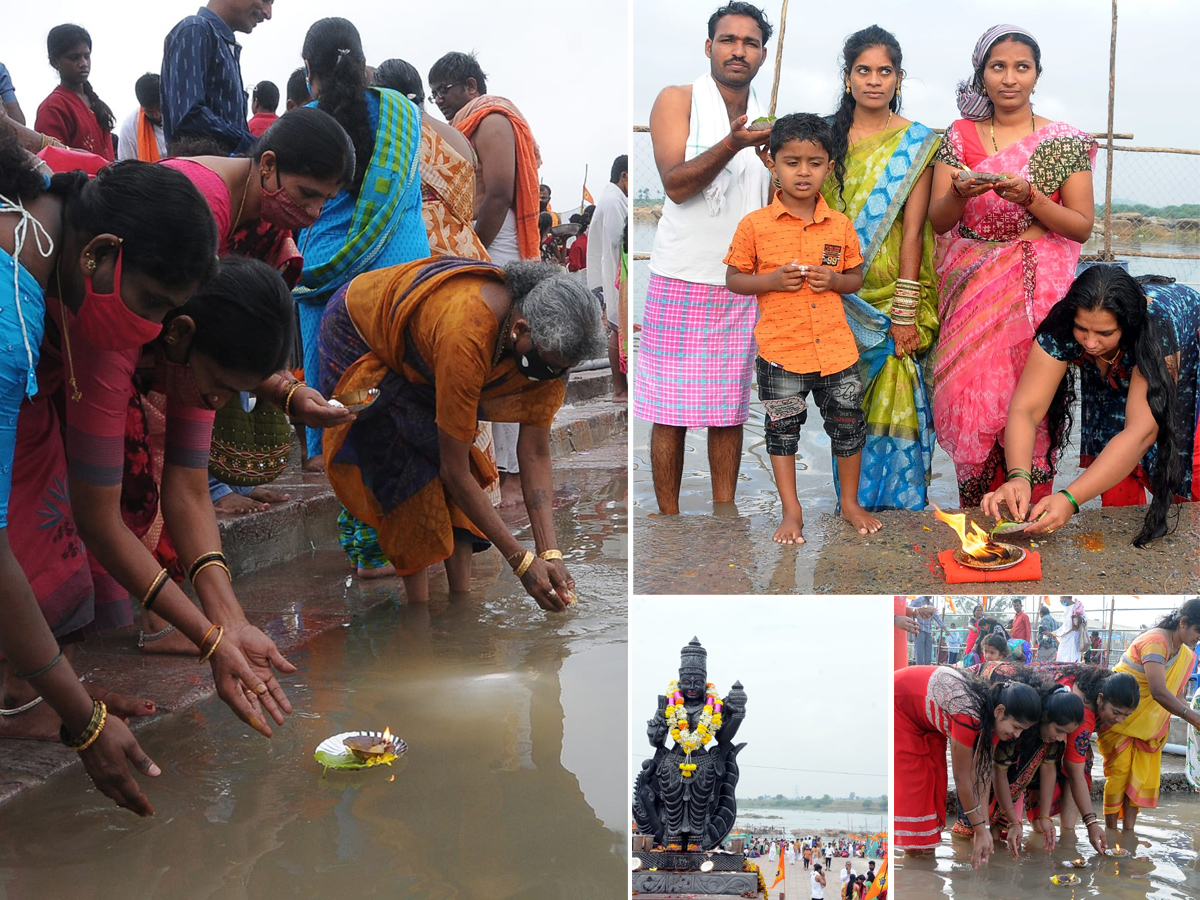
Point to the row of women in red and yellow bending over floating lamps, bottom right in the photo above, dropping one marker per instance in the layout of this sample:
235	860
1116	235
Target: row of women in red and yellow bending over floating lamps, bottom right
1021	741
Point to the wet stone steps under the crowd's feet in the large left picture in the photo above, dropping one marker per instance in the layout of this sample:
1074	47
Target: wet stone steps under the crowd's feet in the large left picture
301	602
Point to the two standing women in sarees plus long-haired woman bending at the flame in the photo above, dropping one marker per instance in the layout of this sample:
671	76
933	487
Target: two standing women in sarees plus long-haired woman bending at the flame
1004	323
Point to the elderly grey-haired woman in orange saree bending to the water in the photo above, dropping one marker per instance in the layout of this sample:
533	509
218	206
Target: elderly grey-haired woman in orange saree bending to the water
447	341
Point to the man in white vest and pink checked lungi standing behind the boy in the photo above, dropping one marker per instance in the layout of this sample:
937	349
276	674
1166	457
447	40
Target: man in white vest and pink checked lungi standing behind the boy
697	356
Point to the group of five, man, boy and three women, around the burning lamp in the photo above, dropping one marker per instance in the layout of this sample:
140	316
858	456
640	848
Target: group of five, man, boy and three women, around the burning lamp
857	255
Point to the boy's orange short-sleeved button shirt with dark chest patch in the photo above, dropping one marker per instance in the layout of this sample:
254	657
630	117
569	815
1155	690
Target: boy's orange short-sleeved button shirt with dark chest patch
803	332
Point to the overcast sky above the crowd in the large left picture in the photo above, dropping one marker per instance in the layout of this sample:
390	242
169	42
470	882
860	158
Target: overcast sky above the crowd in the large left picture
539	55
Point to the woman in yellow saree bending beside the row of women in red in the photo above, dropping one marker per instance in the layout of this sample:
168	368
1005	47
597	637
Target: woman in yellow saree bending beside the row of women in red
1162	661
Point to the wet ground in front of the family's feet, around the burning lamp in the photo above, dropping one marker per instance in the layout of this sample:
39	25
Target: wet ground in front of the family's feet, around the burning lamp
733	553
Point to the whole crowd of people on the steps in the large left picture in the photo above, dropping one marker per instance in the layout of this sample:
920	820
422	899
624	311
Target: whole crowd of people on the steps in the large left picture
195	260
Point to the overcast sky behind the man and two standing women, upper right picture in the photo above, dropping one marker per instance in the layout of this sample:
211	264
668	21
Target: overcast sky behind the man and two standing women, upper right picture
1157	41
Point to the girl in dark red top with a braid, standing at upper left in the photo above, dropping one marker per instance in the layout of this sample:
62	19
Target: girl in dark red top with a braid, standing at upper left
74	113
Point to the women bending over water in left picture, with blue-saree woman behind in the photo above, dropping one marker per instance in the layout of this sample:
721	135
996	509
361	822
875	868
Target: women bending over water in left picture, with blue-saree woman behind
125	334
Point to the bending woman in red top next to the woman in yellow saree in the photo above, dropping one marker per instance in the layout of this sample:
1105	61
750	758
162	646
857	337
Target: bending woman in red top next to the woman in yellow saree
1108	700
